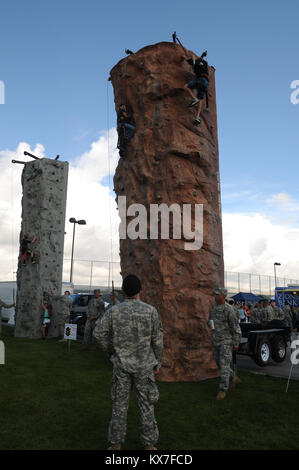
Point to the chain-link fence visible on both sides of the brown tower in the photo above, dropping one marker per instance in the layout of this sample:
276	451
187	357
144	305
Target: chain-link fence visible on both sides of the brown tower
93	273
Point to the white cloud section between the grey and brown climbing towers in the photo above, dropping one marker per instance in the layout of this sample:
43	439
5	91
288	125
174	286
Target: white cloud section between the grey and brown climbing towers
91	200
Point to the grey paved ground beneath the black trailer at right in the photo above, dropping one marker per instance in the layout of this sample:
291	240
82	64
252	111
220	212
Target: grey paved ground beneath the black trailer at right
274	369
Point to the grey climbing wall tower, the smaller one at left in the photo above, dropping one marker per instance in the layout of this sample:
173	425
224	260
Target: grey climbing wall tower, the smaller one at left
44	185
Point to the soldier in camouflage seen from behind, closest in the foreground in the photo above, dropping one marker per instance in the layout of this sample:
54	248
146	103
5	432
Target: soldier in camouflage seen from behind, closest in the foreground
132	334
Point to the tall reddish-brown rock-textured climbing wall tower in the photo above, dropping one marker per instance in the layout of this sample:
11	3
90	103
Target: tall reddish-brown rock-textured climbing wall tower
170	160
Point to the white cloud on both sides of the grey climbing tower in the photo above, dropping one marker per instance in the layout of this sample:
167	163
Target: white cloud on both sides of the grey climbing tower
87	199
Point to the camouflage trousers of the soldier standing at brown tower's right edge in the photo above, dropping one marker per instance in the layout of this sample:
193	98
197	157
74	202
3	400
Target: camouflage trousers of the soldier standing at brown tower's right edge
223	356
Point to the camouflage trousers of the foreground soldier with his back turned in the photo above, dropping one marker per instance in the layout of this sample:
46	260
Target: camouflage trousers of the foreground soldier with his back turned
147	395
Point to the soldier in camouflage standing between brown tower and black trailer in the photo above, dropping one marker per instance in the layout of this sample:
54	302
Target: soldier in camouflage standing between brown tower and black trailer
225	336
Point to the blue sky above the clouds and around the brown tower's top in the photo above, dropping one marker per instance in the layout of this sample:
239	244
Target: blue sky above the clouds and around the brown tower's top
55	58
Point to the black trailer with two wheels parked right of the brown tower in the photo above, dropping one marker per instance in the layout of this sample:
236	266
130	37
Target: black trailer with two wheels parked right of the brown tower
264	341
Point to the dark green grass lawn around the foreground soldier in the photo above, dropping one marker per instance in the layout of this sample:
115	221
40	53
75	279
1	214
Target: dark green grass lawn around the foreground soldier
55	399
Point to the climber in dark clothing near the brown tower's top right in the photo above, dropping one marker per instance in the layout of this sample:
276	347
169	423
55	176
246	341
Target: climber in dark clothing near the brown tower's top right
199	83
